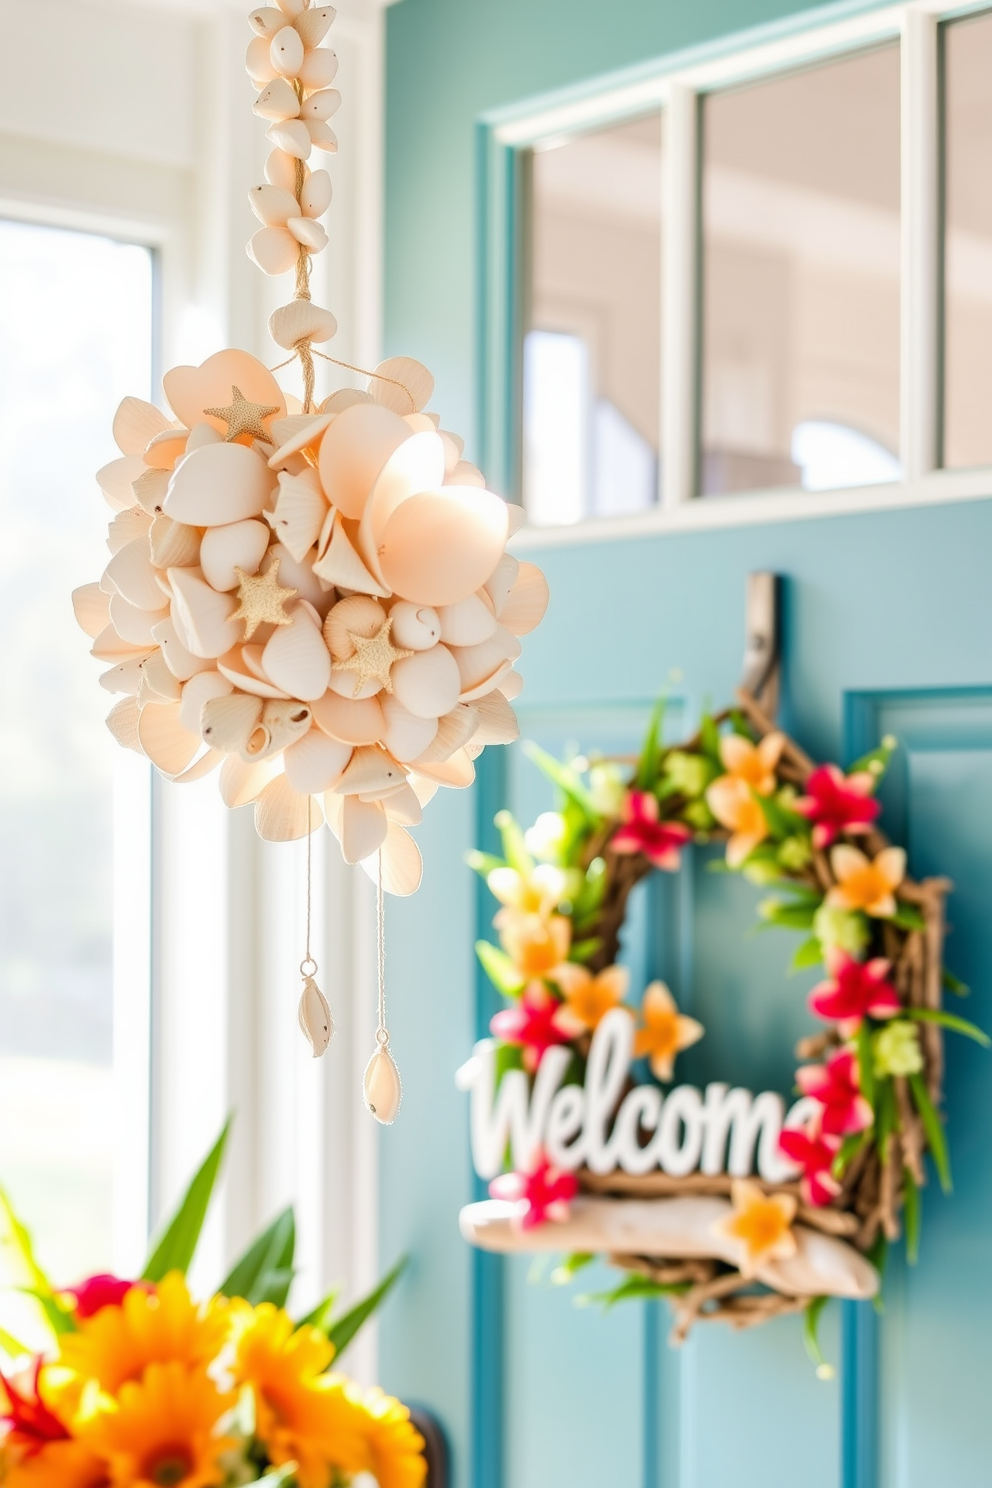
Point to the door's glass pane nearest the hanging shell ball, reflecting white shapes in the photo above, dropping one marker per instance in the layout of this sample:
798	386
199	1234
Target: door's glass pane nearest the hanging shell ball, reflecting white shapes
593	344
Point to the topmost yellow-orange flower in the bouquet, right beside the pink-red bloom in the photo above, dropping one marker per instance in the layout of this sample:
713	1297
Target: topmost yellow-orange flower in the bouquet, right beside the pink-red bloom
160	1327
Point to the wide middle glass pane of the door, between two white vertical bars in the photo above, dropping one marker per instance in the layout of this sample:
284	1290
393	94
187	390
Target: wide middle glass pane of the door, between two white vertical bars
801	196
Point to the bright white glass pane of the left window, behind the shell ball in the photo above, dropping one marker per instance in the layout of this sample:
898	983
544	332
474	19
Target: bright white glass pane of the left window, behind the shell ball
75	337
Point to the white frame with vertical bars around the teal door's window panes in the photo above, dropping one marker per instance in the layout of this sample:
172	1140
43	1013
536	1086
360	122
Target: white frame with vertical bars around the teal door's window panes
676	86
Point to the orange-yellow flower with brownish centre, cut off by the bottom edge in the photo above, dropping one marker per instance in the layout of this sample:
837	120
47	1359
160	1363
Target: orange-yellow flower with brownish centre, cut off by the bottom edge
161	1434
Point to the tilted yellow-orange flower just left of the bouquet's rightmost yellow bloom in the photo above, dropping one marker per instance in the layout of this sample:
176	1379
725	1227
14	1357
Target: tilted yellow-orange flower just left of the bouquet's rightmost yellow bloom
303	1414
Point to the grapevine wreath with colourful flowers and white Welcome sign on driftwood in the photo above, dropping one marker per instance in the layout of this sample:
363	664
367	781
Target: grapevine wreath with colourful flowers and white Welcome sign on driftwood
576	1085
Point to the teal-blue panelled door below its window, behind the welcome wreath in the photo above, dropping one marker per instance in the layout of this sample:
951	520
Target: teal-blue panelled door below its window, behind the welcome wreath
887	629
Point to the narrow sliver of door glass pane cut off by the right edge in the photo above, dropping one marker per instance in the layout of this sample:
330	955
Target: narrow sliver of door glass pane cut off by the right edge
969	242
